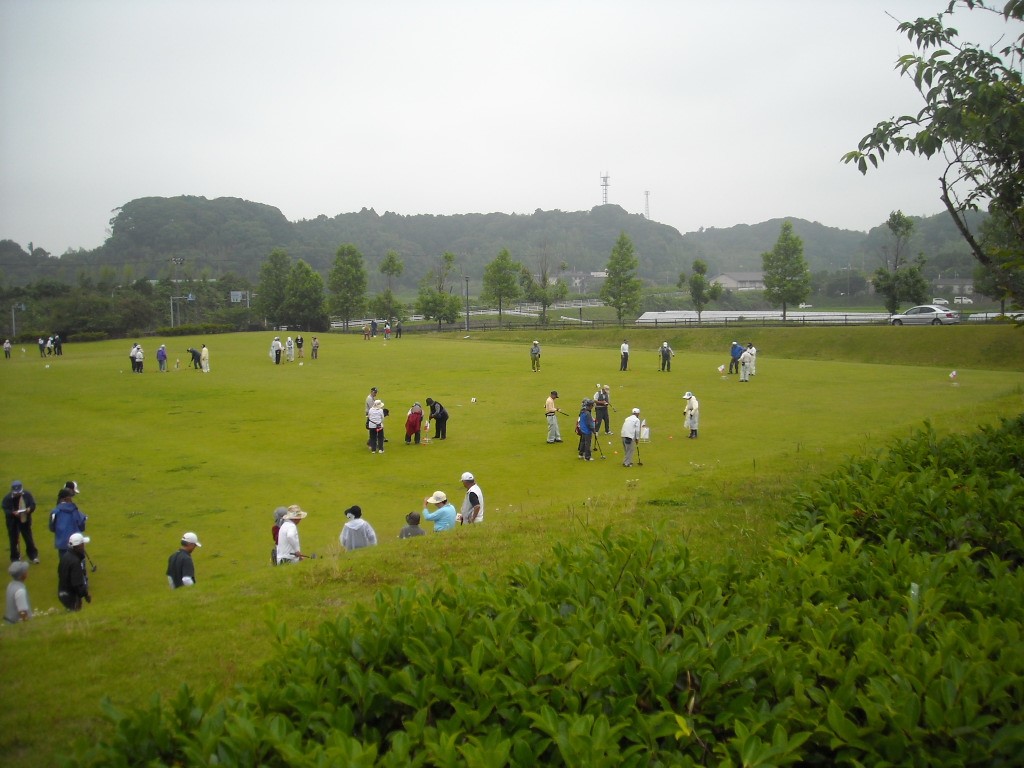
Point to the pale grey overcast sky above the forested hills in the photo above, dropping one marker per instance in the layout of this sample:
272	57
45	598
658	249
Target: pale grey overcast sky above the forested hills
727	113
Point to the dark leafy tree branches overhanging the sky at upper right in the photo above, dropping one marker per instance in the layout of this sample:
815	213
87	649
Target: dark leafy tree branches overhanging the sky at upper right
973	116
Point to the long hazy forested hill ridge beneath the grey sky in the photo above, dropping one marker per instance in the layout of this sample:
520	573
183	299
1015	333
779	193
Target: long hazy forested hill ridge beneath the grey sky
159	237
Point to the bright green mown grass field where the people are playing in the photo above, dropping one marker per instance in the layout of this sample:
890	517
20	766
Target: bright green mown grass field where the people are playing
160	454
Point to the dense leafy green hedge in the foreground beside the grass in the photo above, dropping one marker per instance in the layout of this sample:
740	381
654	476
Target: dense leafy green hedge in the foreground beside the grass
884	634
